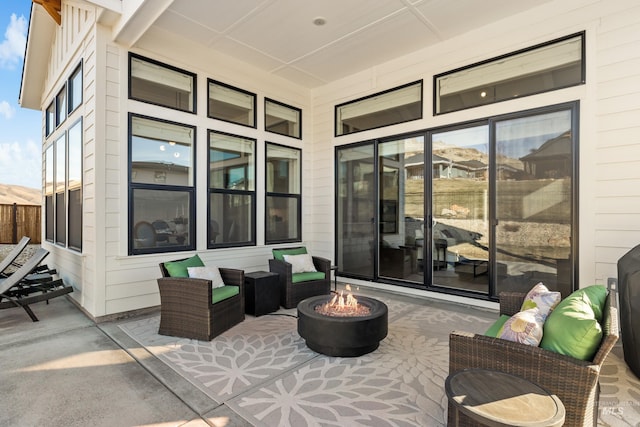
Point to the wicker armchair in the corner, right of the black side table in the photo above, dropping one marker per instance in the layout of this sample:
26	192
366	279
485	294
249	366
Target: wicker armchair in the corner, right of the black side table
292	291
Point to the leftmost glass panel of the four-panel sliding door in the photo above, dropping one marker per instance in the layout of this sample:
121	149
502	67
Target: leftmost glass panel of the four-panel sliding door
356	211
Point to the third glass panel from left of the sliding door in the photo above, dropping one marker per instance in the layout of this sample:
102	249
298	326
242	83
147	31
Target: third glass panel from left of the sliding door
460	209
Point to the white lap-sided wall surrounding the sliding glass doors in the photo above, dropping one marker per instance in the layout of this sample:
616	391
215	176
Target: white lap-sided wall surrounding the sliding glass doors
609	198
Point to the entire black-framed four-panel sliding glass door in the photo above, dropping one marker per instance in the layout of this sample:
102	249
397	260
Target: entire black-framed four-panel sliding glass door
488	207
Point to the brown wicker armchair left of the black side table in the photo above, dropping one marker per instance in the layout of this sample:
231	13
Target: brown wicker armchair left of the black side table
187	309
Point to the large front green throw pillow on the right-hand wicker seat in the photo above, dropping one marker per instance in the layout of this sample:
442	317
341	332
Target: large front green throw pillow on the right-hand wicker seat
572	328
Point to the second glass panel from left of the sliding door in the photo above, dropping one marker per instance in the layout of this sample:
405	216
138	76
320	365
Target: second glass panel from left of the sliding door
401	204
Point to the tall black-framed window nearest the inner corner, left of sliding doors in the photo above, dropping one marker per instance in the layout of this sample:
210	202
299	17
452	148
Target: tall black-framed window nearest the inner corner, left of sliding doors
283	202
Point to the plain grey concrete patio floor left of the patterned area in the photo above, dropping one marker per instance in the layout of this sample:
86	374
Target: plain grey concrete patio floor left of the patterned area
66	370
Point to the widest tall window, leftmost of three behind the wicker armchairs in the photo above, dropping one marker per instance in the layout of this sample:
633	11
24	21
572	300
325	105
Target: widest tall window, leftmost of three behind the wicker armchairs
161	180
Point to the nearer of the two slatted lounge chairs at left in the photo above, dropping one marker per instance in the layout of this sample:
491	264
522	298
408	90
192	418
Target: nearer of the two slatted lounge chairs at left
20	292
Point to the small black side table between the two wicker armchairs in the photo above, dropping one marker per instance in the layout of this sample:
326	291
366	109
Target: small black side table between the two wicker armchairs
261	292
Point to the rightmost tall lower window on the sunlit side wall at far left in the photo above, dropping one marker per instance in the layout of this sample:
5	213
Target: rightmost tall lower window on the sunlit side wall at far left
74	185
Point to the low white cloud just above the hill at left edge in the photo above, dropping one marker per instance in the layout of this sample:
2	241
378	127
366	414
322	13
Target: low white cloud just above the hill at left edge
20	163
